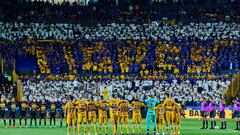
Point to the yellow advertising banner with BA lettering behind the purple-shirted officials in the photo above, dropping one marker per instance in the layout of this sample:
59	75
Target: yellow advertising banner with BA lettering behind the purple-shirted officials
197	114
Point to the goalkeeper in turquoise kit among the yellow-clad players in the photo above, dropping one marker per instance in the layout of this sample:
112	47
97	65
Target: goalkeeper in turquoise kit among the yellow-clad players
151	104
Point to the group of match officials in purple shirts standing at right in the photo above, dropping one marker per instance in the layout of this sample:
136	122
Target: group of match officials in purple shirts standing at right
208	108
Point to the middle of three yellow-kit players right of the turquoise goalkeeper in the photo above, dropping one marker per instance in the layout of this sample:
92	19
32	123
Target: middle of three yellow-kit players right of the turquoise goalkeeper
168	106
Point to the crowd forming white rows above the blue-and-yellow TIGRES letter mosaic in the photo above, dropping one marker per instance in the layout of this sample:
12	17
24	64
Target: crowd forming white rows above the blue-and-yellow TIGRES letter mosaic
139	49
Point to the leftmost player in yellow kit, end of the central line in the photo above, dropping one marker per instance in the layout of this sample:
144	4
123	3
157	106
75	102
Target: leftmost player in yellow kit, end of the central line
70	112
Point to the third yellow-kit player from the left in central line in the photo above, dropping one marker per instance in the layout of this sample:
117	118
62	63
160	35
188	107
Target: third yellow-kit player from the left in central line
92	115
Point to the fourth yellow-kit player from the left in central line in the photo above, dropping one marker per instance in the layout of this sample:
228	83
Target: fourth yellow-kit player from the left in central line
102	114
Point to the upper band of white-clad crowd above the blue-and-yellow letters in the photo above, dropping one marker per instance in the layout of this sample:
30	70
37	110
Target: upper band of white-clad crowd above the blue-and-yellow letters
65	31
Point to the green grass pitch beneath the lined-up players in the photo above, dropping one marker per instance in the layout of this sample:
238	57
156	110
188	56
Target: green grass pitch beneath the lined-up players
188	127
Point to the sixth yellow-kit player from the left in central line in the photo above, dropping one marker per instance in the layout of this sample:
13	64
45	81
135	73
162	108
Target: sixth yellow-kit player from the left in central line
123	115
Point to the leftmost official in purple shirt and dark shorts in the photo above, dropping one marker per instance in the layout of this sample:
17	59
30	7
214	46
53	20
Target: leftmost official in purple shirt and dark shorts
204	113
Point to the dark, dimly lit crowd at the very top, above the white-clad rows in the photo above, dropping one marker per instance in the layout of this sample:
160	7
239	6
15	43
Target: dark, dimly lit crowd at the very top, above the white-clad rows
120	11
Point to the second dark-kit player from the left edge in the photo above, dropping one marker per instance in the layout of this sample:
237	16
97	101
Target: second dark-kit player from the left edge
12	109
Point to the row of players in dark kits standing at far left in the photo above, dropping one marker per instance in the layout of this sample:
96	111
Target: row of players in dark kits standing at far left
32	107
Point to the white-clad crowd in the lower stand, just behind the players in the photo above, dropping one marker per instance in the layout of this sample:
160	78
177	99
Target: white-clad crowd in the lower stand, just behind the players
188	91
